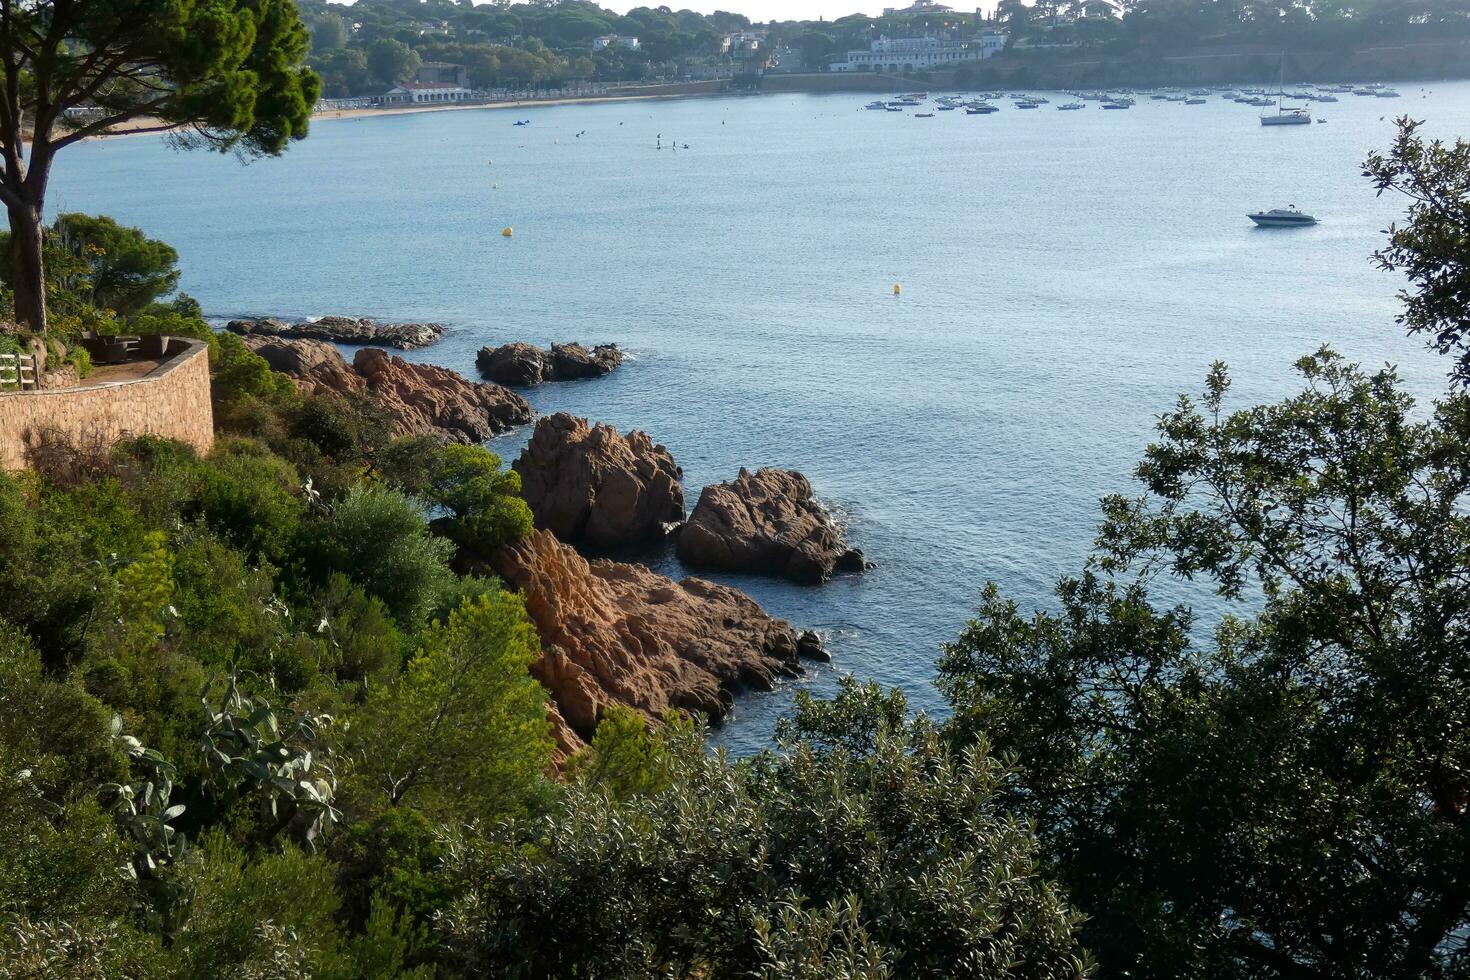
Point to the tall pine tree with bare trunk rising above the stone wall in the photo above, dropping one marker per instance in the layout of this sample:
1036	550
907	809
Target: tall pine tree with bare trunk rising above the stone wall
224	74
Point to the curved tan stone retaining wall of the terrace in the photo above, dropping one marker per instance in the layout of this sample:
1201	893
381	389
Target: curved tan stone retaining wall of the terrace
171	403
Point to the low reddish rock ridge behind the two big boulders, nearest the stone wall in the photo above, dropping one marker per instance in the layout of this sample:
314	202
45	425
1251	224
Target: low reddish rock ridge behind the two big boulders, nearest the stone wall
424	399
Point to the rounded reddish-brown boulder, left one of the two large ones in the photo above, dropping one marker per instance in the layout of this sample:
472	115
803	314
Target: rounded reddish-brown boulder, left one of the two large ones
592	486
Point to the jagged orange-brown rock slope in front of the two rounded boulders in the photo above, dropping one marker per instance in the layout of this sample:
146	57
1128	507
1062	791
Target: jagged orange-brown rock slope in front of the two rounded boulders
620	634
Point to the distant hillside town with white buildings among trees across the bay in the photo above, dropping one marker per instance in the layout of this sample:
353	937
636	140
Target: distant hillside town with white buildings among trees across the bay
405	54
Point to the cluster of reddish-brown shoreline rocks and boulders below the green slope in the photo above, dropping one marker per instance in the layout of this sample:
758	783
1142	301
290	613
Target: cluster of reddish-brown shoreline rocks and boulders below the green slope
612	633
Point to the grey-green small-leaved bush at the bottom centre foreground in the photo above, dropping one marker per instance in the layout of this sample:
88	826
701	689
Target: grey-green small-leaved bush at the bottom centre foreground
690	881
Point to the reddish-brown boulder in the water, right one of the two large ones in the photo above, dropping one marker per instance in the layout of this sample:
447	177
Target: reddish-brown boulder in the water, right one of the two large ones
767	524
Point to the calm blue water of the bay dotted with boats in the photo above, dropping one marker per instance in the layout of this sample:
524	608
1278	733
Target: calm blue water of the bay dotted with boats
1064	277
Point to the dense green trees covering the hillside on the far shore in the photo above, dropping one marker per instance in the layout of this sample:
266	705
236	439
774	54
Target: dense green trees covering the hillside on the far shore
371	45
